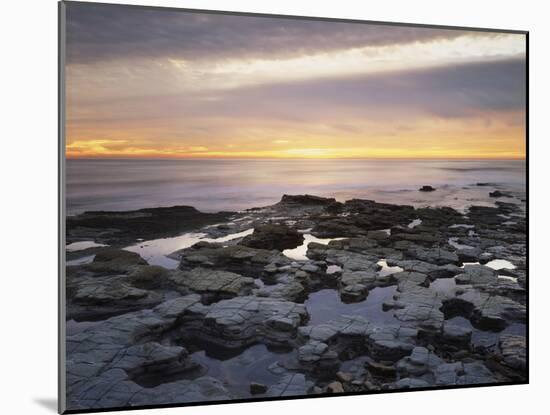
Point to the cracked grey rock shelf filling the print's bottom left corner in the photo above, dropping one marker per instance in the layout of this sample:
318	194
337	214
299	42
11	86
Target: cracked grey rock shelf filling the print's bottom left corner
104	359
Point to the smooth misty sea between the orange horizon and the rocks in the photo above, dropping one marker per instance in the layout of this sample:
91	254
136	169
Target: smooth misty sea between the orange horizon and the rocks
214	185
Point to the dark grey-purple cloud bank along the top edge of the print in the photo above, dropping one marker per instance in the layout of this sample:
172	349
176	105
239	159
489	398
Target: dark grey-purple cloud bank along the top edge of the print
98	32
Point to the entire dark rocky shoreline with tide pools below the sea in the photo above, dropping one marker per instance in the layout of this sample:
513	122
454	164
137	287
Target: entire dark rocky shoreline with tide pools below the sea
419	297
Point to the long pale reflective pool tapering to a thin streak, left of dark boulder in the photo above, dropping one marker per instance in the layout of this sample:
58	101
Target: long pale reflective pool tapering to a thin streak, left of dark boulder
155	251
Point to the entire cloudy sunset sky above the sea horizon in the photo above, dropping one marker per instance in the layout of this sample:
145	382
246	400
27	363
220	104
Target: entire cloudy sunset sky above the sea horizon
152	83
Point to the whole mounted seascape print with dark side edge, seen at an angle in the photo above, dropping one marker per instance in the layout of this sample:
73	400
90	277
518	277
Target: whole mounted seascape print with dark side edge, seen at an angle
259	207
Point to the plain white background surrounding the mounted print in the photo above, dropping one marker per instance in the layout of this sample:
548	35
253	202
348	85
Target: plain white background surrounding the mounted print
28	277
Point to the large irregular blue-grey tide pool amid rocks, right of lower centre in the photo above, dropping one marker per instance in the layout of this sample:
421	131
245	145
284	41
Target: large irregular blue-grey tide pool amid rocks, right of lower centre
325	305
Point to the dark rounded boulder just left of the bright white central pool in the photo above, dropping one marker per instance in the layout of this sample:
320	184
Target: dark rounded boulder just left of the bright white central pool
279	237
